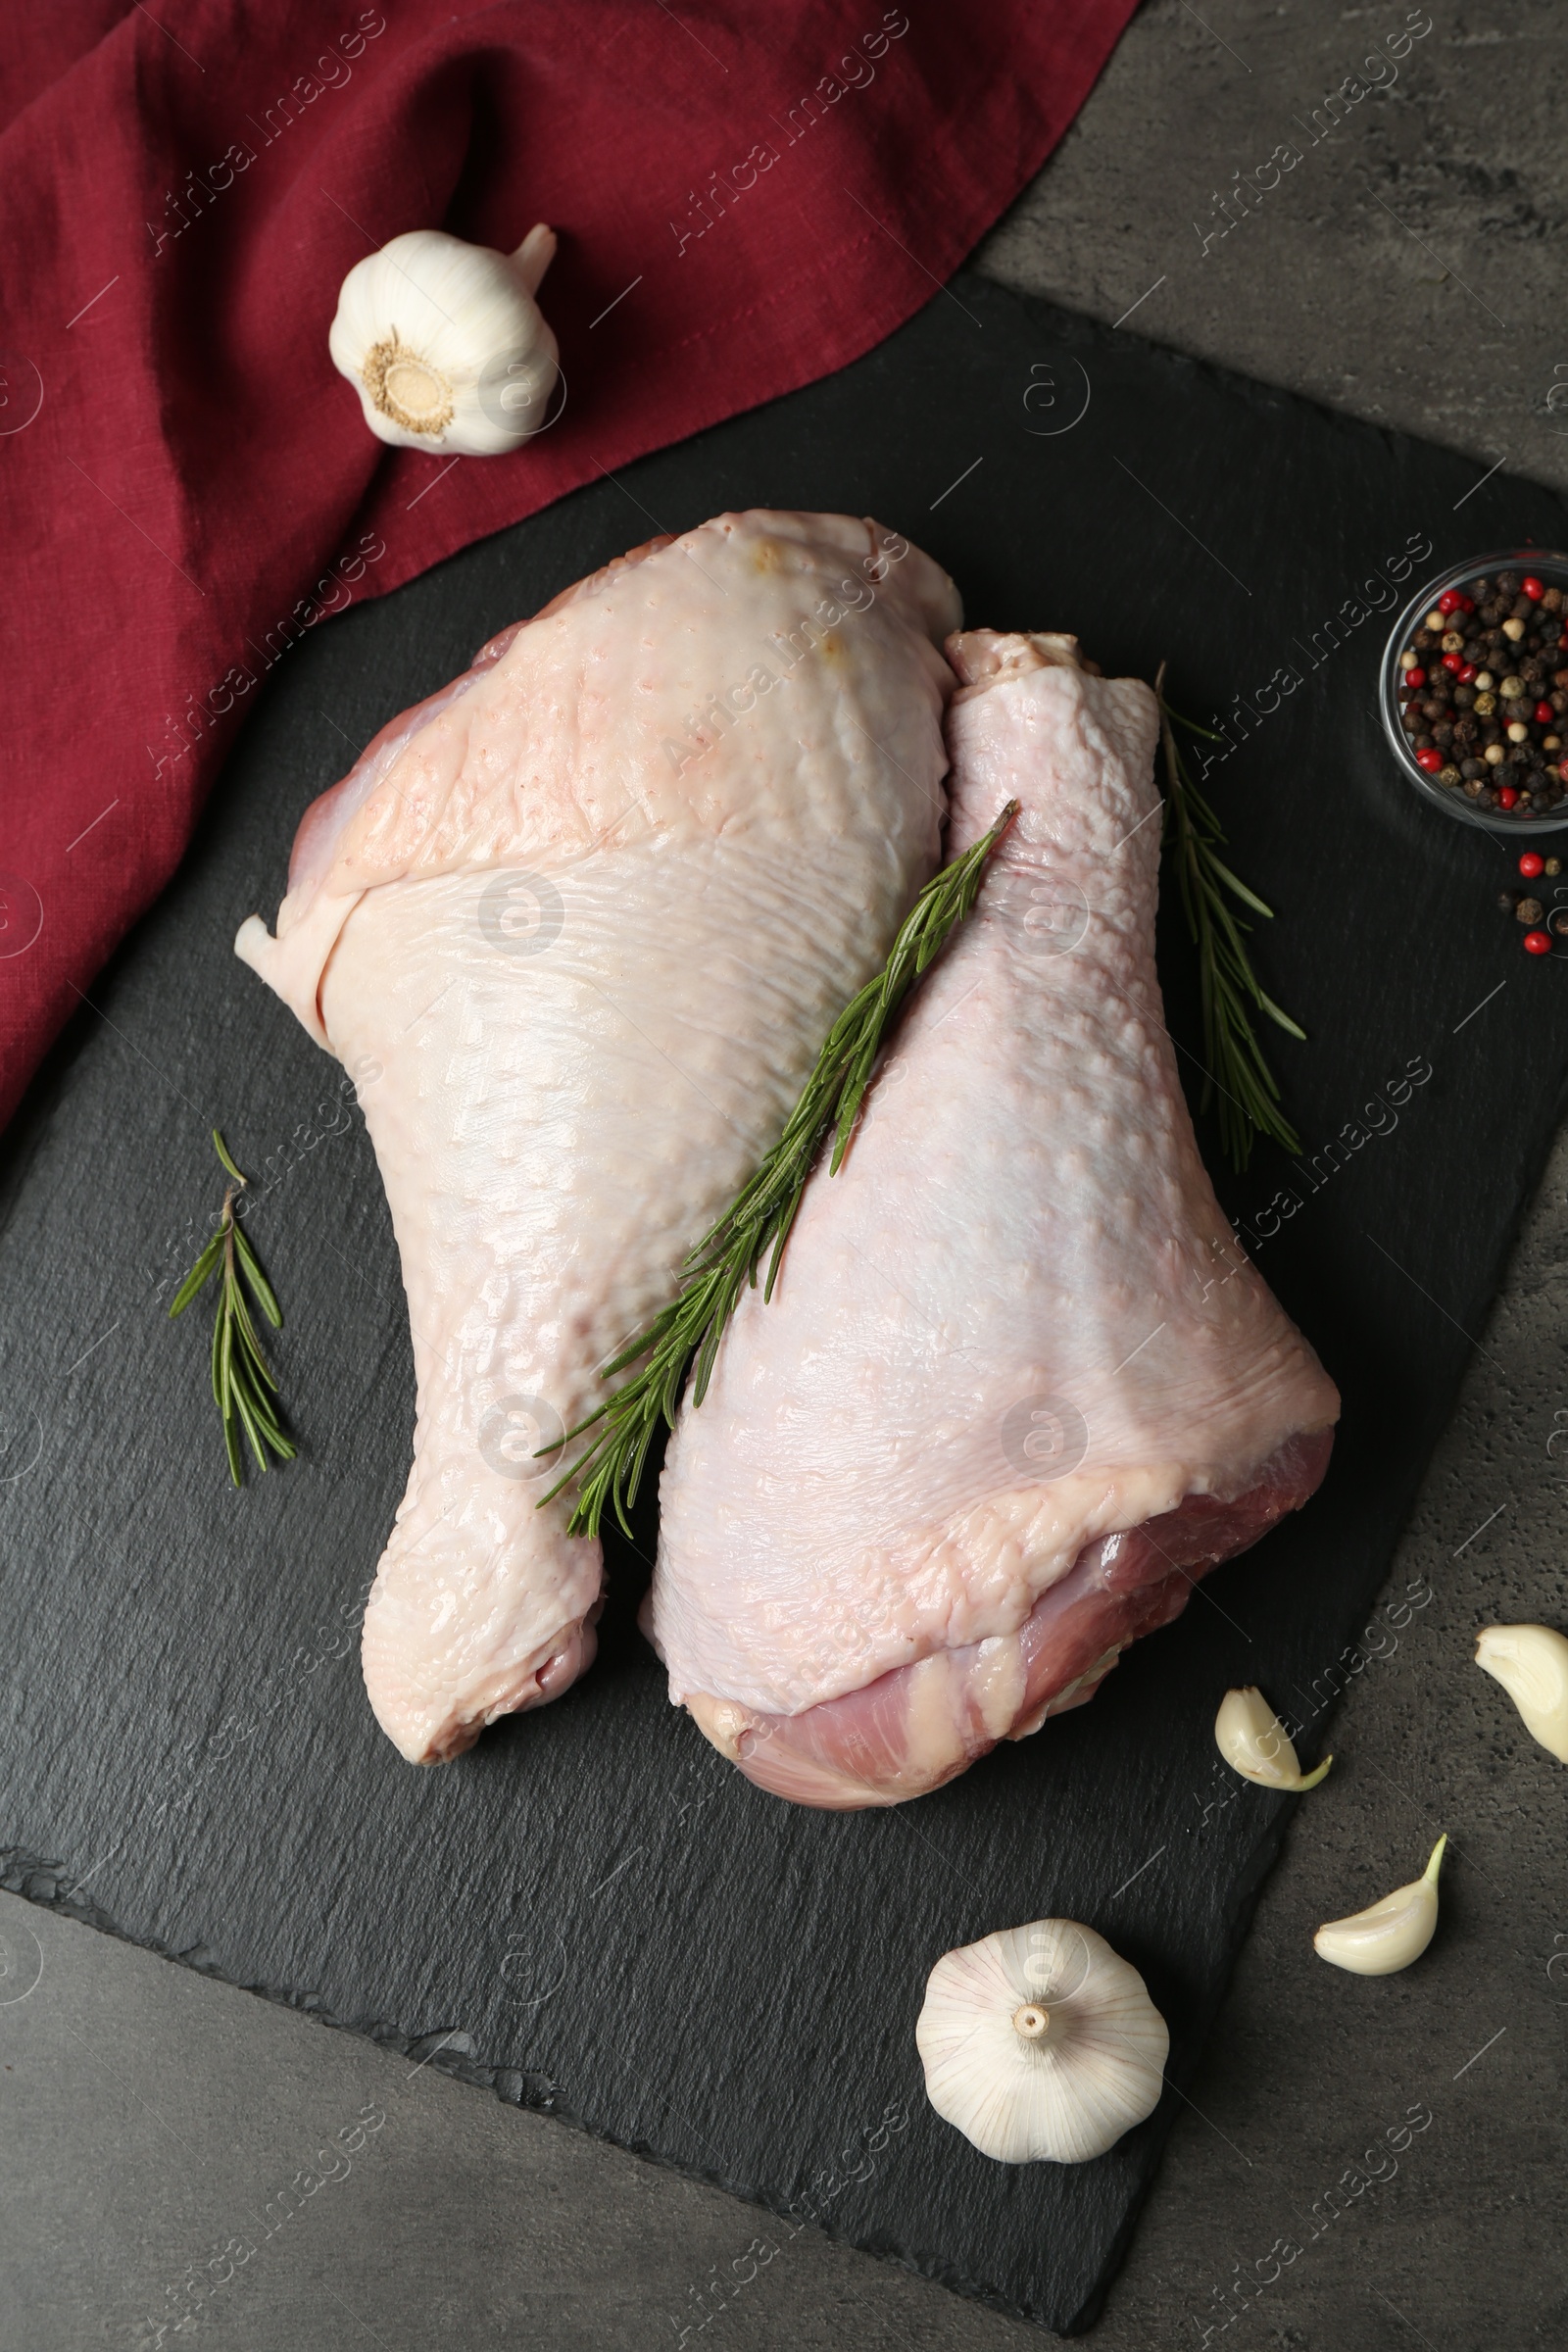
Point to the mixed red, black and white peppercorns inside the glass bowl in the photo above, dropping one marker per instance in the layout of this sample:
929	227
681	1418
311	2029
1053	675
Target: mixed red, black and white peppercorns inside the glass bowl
1485	695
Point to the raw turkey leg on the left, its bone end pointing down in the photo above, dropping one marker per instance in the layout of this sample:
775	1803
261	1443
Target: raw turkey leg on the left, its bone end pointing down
579	926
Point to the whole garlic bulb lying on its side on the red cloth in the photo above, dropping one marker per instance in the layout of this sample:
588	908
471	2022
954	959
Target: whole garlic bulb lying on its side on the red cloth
445	342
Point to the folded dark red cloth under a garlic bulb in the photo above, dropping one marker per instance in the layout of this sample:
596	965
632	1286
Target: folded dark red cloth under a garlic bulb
746	201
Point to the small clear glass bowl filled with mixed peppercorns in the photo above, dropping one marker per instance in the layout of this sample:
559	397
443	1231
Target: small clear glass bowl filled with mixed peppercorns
1475	693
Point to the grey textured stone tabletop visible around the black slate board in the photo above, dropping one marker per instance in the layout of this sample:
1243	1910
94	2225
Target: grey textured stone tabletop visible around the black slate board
1405	272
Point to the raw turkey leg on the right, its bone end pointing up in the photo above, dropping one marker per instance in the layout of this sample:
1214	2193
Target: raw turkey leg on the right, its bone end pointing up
1017	1384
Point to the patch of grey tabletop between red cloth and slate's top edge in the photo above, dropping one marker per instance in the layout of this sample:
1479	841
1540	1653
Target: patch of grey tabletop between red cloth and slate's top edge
1407	267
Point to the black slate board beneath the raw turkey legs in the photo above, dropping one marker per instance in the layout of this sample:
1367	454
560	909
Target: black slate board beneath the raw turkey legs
594	1913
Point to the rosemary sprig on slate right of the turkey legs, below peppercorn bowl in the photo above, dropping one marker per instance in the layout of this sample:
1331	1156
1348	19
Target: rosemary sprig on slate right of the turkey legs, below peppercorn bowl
1238	1069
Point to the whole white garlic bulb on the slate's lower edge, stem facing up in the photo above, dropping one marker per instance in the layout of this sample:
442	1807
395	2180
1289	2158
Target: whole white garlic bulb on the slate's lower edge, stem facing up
1040	2043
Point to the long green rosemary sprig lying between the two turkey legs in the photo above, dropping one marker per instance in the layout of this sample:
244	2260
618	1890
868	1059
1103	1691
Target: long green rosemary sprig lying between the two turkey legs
763	1212
